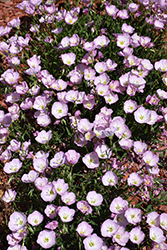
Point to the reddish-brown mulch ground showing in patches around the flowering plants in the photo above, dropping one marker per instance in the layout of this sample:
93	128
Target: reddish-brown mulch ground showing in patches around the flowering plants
8	11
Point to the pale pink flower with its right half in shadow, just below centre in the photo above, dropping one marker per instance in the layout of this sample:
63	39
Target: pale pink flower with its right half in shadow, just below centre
91	160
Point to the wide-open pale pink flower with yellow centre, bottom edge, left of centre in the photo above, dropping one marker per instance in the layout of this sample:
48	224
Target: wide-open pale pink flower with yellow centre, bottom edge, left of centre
46	239
